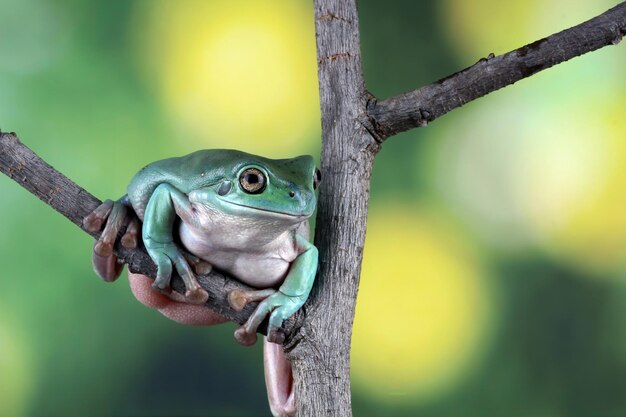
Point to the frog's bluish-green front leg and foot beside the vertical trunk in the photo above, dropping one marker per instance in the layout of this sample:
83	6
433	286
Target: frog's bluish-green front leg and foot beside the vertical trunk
280	304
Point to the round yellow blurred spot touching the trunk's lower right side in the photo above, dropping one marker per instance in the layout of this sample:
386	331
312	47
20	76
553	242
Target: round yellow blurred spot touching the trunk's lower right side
423	308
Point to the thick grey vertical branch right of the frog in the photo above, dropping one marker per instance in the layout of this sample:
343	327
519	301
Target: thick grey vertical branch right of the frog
320	353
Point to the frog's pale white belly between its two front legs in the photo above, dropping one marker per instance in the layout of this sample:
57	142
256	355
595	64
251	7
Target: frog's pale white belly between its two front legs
261	267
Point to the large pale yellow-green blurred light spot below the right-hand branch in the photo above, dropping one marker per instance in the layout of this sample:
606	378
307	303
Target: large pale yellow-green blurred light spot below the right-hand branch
555	181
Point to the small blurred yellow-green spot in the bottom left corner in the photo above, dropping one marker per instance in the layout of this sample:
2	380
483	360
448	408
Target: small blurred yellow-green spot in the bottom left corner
16	376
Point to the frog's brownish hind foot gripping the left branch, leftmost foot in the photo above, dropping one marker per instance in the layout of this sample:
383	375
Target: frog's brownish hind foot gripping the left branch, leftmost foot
114	215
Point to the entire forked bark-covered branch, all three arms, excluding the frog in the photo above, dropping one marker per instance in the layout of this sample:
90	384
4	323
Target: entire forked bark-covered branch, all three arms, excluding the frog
354	124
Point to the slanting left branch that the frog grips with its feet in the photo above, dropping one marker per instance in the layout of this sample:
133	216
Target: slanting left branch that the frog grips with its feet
53	188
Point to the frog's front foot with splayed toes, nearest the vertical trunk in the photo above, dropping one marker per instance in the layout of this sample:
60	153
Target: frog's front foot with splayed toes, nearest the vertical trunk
277	305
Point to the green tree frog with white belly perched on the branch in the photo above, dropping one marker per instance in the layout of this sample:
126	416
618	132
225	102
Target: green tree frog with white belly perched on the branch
243	214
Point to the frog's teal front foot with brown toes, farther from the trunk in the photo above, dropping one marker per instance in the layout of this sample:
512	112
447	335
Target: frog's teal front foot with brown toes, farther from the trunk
164	254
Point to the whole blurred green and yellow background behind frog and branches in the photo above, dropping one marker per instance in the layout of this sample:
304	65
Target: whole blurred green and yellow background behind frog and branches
494	280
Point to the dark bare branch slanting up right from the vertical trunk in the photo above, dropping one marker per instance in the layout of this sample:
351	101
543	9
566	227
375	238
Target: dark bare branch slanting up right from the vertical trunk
419	107
